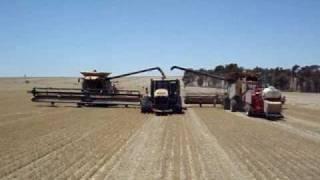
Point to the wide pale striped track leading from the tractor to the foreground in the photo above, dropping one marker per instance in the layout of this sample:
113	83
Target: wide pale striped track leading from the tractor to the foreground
171	147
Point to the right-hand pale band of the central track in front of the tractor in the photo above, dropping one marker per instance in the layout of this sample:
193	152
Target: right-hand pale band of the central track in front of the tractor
214	161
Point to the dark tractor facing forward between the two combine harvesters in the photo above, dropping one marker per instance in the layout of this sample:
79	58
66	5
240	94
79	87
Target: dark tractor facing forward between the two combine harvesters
164	97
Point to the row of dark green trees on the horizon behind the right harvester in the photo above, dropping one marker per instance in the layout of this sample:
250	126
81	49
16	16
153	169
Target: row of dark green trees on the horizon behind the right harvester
297	78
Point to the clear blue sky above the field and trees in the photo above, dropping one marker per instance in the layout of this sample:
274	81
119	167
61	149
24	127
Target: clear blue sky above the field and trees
62	38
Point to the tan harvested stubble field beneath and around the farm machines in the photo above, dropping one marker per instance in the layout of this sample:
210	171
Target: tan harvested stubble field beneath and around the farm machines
65	142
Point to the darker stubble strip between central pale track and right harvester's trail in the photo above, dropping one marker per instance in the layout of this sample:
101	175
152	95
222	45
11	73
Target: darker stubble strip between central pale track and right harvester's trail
264	149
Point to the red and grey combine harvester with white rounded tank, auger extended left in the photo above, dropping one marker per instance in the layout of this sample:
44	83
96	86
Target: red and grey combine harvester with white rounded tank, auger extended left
244	93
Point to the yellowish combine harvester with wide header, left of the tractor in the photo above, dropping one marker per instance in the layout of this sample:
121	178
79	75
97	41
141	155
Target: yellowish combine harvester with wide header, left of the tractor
97	89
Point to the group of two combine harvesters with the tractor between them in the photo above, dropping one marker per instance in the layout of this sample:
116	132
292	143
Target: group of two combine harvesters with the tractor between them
242	93
